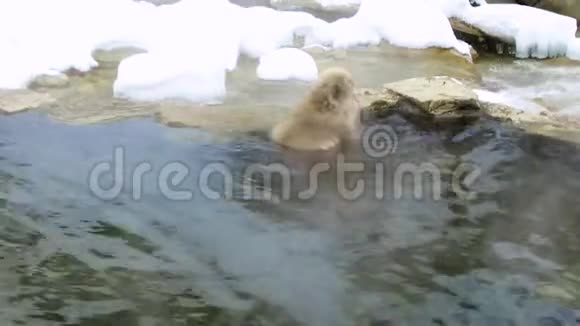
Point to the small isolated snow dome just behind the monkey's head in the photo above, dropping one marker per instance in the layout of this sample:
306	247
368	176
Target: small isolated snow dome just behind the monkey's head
288	63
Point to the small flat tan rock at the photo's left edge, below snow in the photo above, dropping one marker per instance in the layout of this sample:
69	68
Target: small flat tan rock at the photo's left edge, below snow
12	101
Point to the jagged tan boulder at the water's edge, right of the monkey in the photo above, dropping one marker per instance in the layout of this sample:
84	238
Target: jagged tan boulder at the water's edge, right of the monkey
430	99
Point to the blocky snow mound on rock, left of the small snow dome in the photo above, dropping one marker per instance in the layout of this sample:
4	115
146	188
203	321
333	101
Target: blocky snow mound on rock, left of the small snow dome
157	76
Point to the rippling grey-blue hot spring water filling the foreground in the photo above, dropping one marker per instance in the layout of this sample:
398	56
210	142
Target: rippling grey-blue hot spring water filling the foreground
69	258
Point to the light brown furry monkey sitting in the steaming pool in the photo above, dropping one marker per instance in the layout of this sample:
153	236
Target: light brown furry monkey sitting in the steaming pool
328	115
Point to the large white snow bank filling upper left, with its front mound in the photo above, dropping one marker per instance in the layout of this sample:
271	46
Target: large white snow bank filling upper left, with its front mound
58	35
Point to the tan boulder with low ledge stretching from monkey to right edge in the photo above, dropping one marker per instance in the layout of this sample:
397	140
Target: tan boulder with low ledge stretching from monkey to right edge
445	101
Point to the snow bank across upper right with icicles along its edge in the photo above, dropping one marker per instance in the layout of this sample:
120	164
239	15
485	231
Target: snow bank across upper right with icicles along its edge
424	23
